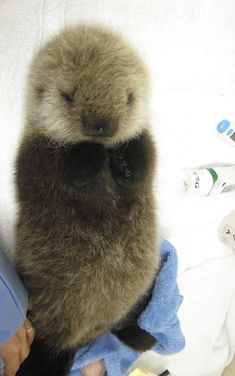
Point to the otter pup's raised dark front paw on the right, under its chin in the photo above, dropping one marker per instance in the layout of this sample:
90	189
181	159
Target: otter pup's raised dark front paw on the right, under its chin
129	162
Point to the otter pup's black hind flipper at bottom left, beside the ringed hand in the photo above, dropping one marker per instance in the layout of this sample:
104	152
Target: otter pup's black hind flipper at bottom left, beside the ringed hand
43	362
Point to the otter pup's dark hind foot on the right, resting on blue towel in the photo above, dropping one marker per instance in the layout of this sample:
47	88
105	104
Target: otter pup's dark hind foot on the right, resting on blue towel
136	338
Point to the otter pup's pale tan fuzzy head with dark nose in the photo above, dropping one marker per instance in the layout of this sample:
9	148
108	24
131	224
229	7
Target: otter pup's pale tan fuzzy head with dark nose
87	84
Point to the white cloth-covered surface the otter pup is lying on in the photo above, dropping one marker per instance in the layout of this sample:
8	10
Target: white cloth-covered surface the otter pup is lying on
190	49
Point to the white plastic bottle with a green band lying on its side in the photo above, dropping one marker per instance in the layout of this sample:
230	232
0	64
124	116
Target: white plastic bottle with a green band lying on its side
206	181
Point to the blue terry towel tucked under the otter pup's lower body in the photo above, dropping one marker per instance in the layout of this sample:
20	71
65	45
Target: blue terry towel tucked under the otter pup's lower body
159	319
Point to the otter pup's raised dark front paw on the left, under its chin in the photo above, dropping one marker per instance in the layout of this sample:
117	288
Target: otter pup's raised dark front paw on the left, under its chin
83	163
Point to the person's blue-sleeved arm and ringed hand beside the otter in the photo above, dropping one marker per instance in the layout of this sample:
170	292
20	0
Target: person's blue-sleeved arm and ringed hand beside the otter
16	331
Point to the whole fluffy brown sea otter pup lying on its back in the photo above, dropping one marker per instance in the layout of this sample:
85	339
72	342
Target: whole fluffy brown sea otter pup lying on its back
86	231
